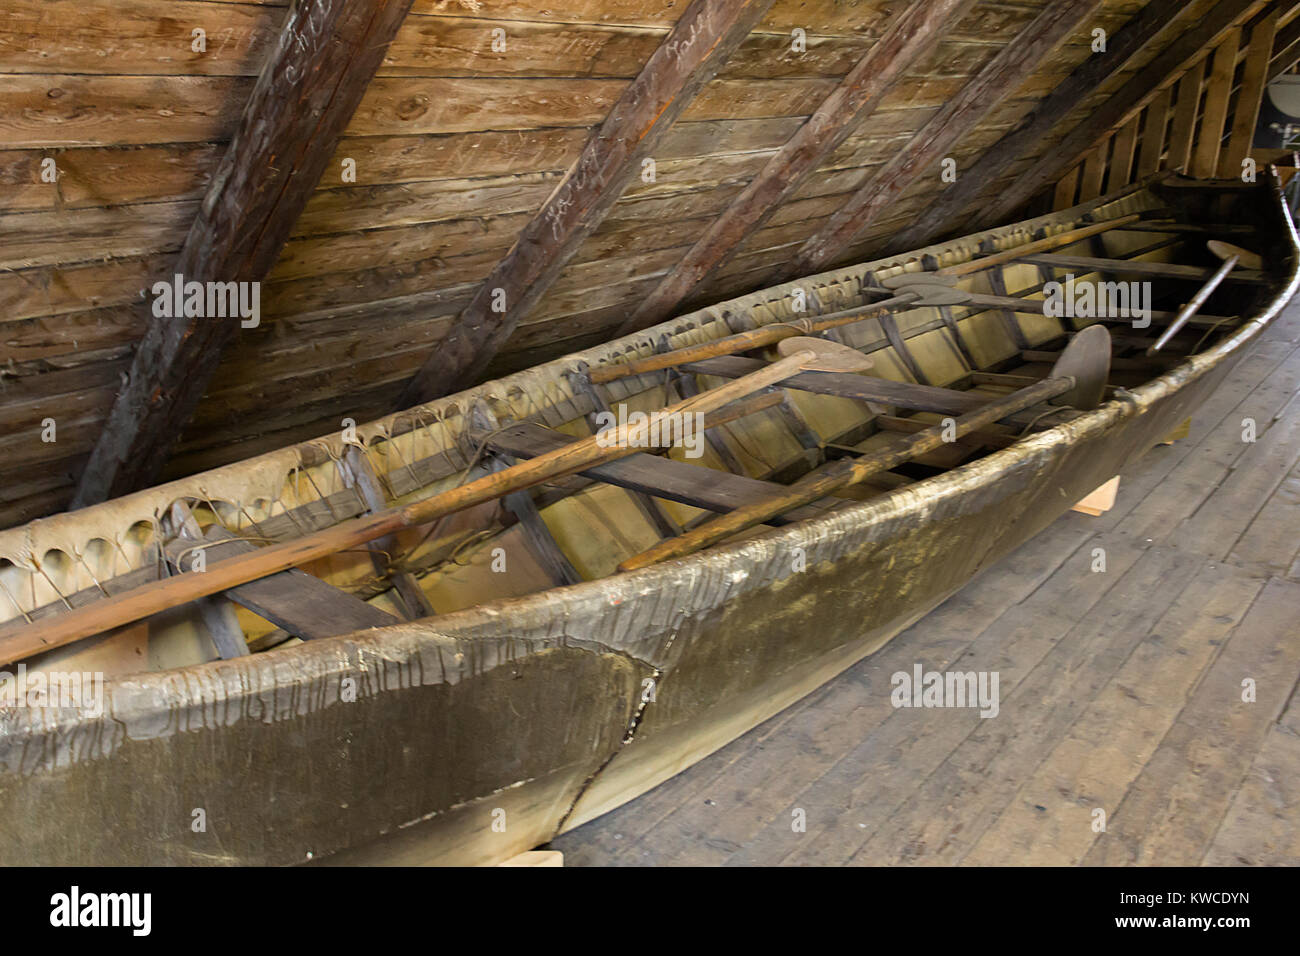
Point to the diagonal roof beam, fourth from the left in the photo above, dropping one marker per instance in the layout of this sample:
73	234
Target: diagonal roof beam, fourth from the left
1002	77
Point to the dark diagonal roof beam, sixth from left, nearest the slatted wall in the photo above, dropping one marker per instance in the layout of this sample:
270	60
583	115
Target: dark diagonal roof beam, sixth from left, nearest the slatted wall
1142	88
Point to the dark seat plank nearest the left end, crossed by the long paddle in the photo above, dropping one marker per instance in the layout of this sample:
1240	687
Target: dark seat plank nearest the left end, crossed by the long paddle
301	604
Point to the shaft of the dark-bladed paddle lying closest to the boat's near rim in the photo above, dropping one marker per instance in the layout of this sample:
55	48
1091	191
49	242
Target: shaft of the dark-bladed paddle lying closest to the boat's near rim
847	473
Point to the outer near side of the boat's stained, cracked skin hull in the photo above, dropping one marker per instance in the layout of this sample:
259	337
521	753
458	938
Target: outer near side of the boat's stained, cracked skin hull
475	736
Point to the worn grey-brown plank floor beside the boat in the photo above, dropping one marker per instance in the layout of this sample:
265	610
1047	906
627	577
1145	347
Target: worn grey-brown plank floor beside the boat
1121	691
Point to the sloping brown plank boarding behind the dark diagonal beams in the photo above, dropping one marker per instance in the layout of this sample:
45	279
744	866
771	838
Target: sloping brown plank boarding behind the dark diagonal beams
456	148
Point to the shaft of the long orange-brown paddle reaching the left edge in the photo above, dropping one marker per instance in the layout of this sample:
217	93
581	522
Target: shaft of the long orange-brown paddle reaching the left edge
158	596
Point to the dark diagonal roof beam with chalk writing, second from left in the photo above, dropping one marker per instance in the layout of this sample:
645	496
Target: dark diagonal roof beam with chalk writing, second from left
694	51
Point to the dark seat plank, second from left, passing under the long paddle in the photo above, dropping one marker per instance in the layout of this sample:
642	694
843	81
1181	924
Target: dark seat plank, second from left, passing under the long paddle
661	478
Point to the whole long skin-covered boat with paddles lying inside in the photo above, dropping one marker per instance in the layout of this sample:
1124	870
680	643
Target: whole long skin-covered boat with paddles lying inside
465	672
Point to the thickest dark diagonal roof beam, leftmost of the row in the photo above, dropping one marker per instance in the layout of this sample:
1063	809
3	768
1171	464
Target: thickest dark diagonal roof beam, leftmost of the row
306	94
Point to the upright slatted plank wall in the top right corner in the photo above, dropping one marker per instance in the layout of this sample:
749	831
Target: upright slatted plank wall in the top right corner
1202	122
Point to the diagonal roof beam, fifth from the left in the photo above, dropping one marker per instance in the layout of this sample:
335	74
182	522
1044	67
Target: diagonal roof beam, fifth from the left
944	214
